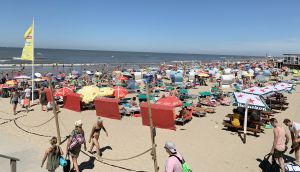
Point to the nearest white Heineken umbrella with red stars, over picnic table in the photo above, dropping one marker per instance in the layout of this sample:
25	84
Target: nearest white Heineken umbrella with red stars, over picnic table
254	101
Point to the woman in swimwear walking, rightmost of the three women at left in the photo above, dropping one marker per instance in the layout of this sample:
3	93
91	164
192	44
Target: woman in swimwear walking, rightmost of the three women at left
94	136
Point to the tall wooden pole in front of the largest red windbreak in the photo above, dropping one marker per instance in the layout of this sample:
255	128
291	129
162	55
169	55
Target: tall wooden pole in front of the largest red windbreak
151	130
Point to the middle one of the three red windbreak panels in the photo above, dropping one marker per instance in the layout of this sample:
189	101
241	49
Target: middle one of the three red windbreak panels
108	108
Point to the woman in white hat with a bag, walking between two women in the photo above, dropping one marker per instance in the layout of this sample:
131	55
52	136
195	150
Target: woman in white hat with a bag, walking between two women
75	141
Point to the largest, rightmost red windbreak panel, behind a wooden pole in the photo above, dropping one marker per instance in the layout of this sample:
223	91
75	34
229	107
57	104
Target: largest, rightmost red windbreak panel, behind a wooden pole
163	116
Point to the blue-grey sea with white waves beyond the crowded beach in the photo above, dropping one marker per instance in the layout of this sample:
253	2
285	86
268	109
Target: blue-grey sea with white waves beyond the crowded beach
45	58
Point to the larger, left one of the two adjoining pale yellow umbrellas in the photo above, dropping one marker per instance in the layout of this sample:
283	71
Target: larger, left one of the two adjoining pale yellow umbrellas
89	93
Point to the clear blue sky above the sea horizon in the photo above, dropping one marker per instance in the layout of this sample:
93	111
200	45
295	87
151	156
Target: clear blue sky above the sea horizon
251	27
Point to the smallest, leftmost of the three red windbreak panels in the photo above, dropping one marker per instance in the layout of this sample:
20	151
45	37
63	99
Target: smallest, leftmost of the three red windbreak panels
72	102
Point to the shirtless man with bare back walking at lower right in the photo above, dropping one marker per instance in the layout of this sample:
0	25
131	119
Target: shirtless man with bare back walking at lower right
281	139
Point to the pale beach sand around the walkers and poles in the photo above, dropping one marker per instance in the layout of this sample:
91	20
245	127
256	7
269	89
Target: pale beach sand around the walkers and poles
203	142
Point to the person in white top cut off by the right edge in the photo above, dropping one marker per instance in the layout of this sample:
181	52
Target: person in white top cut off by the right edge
294	128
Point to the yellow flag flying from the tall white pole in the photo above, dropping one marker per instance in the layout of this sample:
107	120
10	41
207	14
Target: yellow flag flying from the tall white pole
27	53
